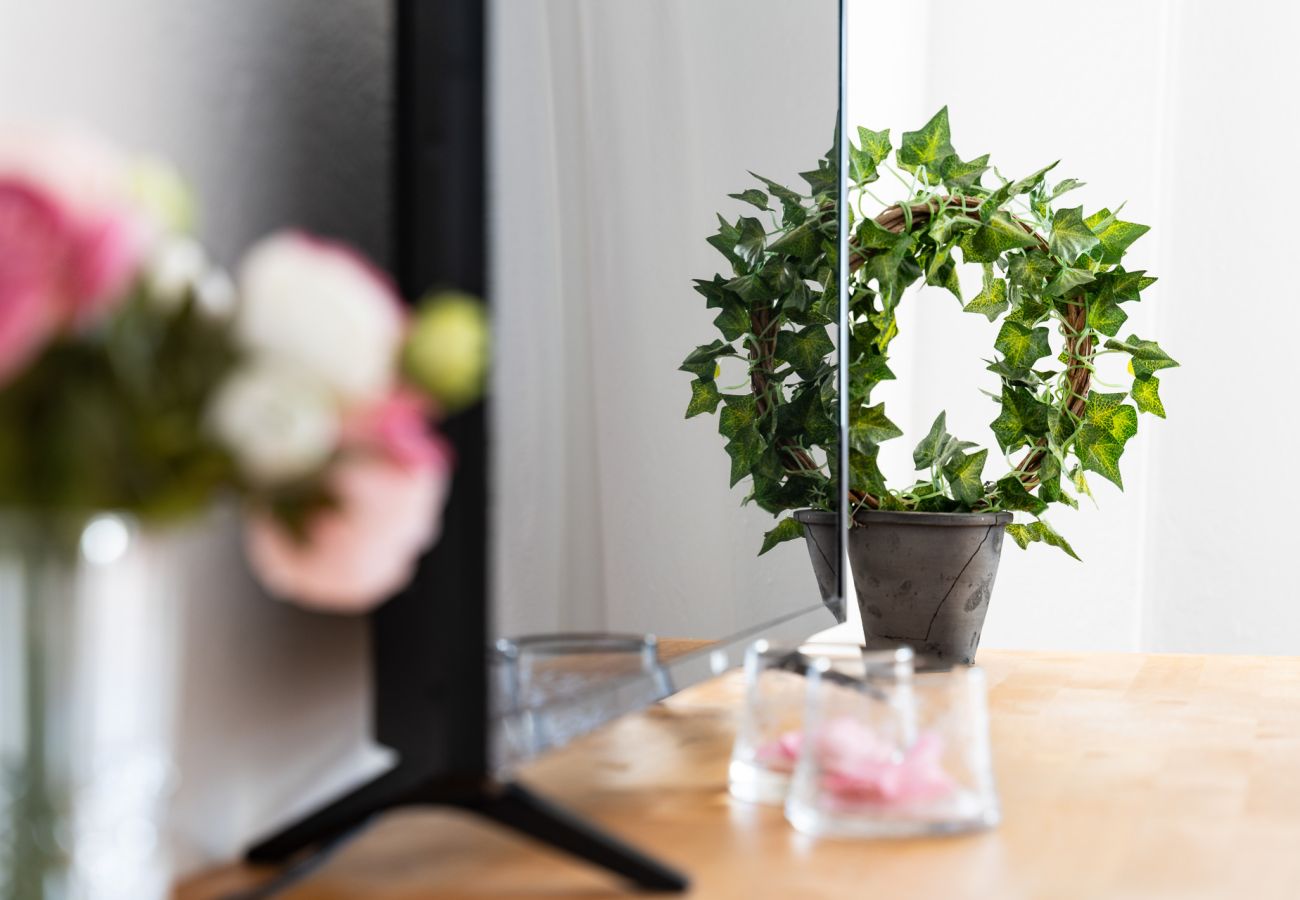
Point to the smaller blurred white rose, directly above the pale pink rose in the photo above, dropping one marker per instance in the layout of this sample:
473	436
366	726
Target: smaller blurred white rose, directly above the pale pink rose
279	423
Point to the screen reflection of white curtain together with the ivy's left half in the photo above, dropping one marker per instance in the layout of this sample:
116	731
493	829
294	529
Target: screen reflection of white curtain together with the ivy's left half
635	491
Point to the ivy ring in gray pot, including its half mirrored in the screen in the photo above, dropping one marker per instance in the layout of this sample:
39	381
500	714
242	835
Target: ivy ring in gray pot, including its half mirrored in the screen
924	557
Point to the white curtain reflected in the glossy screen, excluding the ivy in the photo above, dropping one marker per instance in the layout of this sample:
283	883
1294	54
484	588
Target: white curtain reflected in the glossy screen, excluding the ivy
618	131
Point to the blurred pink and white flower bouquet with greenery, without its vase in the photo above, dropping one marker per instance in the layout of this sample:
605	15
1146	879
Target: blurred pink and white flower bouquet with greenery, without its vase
137	378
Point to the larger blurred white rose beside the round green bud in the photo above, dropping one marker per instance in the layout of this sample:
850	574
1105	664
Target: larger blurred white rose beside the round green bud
323	309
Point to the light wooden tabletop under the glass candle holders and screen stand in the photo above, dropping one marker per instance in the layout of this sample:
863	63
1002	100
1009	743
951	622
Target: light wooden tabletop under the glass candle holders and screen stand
1121	776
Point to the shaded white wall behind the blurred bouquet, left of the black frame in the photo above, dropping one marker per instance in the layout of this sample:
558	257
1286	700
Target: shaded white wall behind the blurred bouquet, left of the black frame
279	112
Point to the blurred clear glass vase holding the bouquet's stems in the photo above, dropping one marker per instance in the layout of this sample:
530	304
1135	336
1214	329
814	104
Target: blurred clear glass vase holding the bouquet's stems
88	673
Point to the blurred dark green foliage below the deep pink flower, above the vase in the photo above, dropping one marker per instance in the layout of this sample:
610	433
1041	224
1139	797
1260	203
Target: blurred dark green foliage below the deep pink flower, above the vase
96	425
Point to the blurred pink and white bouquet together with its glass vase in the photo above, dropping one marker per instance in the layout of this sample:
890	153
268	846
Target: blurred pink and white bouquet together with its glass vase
140	387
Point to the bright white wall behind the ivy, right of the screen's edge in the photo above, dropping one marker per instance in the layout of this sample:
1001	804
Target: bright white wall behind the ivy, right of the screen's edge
1146	102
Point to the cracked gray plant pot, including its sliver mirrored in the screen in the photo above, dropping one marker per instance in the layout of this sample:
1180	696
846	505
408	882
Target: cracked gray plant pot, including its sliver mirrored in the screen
924	579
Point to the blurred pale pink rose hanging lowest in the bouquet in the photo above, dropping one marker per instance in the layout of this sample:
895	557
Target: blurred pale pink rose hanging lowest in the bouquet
362	552
